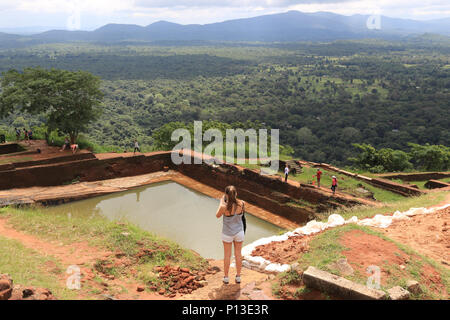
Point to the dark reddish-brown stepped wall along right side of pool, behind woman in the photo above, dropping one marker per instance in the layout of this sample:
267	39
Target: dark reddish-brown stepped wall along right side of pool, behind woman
269	192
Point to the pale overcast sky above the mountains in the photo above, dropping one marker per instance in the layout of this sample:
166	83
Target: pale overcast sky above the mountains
91	14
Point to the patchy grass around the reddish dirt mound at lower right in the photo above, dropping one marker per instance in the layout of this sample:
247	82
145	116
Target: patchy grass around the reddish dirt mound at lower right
326	249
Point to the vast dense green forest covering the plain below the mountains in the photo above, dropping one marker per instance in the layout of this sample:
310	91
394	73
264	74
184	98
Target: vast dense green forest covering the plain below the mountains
323	97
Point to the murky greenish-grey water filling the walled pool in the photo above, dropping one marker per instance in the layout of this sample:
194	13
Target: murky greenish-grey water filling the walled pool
170	210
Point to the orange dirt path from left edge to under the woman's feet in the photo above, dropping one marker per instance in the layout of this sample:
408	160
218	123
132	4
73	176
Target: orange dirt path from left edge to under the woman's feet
254	286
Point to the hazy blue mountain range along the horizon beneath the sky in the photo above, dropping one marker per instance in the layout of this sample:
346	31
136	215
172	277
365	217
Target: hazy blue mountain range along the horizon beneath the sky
283	27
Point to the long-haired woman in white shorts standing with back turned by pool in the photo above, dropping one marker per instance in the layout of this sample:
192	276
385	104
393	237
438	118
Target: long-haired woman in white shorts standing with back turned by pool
233	230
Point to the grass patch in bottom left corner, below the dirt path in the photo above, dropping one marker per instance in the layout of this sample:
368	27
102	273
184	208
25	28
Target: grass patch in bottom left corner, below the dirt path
25	266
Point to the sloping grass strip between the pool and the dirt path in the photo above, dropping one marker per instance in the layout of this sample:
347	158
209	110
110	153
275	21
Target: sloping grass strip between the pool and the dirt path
98	231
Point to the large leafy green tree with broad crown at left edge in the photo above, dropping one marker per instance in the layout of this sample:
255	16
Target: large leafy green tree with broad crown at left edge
70	100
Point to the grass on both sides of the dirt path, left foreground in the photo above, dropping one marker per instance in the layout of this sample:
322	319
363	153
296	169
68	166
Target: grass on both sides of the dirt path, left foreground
97	231
